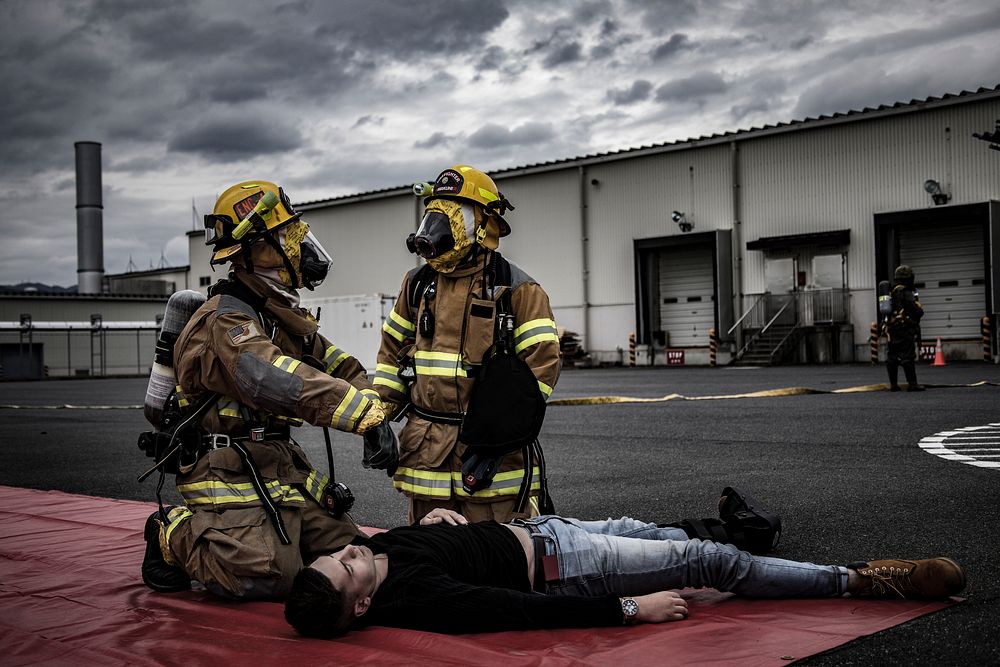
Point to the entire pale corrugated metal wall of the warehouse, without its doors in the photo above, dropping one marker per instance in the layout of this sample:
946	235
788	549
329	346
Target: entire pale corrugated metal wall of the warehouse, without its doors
819	177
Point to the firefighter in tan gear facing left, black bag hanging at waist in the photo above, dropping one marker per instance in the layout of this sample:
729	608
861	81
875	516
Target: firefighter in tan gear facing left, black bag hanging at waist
441	331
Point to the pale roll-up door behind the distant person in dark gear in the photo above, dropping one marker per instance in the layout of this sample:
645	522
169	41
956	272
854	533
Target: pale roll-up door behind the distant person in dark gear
947	261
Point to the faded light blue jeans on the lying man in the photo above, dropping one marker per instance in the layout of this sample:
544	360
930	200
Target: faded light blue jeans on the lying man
629	557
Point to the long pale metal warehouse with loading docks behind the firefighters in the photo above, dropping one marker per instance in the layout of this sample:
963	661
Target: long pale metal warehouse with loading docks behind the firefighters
773	237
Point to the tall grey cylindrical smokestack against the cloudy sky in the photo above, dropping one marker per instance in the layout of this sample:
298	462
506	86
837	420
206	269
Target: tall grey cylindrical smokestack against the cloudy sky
89	218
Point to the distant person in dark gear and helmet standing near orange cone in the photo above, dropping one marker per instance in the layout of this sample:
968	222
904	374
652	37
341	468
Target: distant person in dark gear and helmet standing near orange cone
901	327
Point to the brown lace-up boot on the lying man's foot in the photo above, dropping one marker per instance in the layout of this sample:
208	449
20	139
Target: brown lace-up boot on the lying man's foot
931	579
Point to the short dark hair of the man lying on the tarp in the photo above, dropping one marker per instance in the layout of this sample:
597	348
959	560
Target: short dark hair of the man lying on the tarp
315	608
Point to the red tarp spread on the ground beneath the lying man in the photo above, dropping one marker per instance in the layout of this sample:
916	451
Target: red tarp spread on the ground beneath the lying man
70	593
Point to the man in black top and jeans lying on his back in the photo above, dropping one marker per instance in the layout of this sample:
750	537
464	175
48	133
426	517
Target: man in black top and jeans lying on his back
446	575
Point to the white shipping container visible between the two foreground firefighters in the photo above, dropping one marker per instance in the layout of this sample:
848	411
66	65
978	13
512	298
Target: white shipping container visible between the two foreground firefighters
353	323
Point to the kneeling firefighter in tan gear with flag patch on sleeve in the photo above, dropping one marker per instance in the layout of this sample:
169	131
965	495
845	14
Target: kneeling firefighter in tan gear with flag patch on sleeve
255	509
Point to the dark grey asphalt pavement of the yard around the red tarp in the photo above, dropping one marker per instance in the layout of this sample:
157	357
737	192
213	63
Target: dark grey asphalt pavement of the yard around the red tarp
845	471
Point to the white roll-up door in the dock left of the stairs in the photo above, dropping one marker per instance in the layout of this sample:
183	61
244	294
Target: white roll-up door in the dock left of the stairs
687	309
